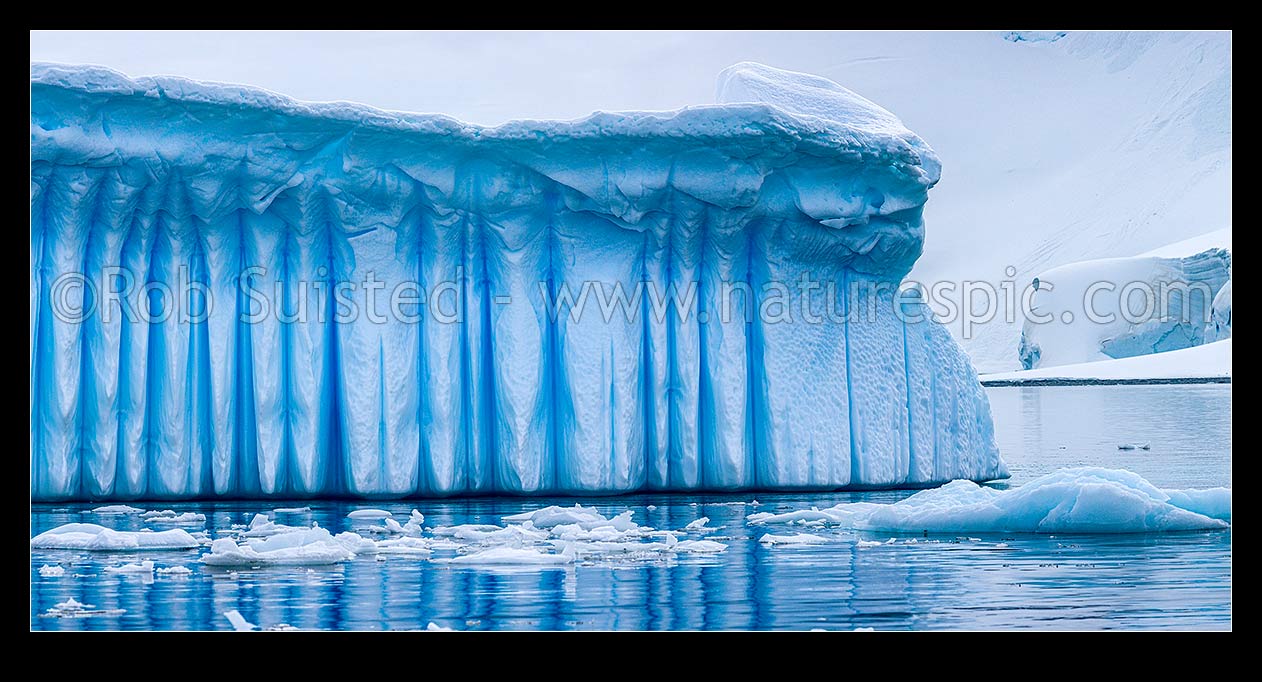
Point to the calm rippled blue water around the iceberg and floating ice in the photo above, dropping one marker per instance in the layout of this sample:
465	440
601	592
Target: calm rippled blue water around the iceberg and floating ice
1172	582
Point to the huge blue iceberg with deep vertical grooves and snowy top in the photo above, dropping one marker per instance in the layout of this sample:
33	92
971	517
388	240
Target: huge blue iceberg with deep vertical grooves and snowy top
156	175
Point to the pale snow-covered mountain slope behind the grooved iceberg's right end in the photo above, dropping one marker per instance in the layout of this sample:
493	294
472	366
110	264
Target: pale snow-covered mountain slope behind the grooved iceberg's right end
1058	150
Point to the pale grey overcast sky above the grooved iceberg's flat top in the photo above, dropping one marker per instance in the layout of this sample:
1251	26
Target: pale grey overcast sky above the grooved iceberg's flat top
480	76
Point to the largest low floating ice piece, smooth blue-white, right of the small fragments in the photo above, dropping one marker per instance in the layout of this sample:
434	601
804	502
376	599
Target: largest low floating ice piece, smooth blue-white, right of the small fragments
1071	501
